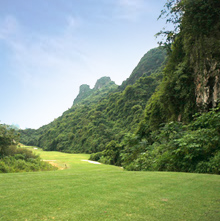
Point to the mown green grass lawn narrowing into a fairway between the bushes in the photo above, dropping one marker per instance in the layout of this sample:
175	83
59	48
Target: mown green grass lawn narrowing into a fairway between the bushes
86	191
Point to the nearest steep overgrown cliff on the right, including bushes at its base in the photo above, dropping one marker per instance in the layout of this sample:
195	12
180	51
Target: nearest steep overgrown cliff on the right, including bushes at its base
180	129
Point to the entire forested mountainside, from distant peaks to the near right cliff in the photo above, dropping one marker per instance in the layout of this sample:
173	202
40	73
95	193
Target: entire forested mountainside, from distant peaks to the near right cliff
165	116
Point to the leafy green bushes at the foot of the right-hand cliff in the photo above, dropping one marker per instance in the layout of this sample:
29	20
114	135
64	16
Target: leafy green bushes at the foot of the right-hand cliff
177	147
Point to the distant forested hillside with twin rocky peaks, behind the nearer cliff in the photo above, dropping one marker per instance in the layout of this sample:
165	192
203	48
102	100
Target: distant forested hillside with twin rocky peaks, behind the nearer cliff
101	114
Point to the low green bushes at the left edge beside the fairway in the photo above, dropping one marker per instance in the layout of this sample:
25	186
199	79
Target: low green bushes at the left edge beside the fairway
17	159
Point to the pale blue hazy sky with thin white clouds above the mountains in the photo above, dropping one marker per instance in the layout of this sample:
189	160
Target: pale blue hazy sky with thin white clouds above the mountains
50	47
